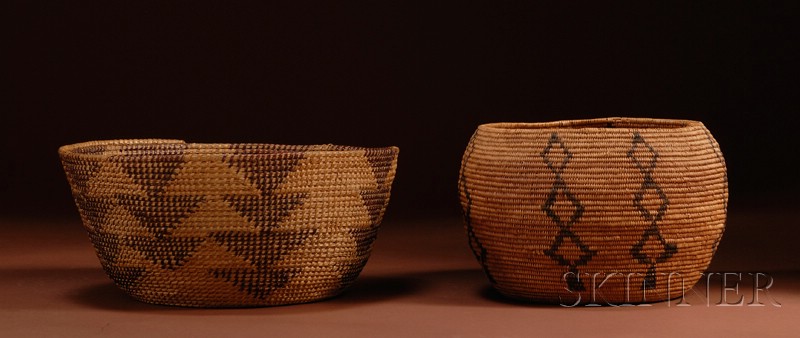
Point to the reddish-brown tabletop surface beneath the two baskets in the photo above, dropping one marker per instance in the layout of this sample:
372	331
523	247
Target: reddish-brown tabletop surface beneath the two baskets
421	281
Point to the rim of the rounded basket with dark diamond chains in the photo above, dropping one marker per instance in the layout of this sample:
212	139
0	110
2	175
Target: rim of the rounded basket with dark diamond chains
596	124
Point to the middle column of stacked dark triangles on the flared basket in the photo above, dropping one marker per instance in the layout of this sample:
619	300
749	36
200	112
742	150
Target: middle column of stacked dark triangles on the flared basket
266	244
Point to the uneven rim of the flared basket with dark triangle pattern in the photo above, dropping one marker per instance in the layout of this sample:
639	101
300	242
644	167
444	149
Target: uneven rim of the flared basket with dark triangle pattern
84	149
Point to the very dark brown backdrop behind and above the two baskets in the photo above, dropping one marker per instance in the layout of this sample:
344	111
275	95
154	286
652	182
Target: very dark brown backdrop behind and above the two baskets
420	75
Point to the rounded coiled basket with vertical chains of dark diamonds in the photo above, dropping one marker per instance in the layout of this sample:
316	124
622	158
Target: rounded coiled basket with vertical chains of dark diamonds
615	210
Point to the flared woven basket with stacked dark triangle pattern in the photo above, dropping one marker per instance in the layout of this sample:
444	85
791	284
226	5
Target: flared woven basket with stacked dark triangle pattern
229	225
